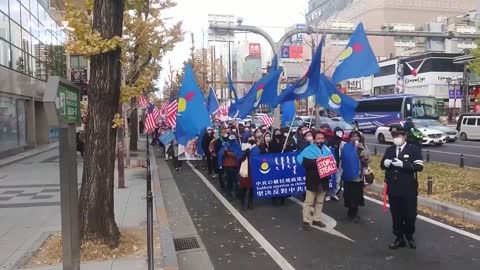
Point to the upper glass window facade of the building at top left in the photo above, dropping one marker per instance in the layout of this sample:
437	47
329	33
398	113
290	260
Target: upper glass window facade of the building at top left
30	40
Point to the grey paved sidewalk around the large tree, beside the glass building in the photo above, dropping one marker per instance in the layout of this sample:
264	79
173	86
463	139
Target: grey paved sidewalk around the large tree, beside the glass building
30	209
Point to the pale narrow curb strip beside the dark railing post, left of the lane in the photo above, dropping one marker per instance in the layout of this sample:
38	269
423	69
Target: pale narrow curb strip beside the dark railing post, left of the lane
168	253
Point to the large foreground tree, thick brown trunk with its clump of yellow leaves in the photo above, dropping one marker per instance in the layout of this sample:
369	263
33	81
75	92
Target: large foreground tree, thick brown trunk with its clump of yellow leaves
99	37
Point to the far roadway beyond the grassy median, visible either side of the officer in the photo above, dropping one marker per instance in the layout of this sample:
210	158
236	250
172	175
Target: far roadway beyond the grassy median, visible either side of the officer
447	153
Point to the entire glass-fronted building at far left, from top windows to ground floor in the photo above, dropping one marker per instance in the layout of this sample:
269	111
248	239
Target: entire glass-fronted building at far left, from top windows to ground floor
31	50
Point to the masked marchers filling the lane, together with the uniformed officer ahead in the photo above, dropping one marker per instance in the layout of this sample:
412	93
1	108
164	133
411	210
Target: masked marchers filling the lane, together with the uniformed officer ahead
228	149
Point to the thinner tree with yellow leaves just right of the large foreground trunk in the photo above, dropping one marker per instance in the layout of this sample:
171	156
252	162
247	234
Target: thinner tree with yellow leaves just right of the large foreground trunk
148	39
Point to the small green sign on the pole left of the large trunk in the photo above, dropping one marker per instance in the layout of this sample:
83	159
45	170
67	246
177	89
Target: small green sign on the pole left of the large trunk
68	104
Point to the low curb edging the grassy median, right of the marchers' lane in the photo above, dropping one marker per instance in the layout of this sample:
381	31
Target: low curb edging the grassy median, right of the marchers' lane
464	214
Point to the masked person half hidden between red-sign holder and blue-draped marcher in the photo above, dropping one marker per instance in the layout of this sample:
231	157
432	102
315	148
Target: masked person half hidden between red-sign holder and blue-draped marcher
336	143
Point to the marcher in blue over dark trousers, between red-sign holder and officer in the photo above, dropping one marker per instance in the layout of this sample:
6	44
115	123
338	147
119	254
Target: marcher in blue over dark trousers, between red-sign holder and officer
351	155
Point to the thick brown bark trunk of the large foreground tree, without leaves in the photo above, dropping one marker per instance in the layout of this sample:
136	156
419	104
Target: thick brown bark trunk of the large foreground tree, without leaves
97	219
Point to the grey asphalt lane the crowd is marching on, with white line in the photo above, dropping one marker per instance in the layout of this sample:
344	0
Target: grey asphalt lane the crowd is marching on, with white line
271	237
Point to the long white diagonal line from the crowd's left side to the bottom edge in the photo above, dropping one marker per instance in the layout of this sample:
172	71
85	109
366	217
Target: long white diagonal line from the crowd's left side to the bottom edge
276	256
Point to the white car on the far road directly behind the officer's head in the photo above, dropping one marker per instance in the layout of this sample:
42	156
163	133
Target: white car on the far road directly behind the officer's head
430	136
